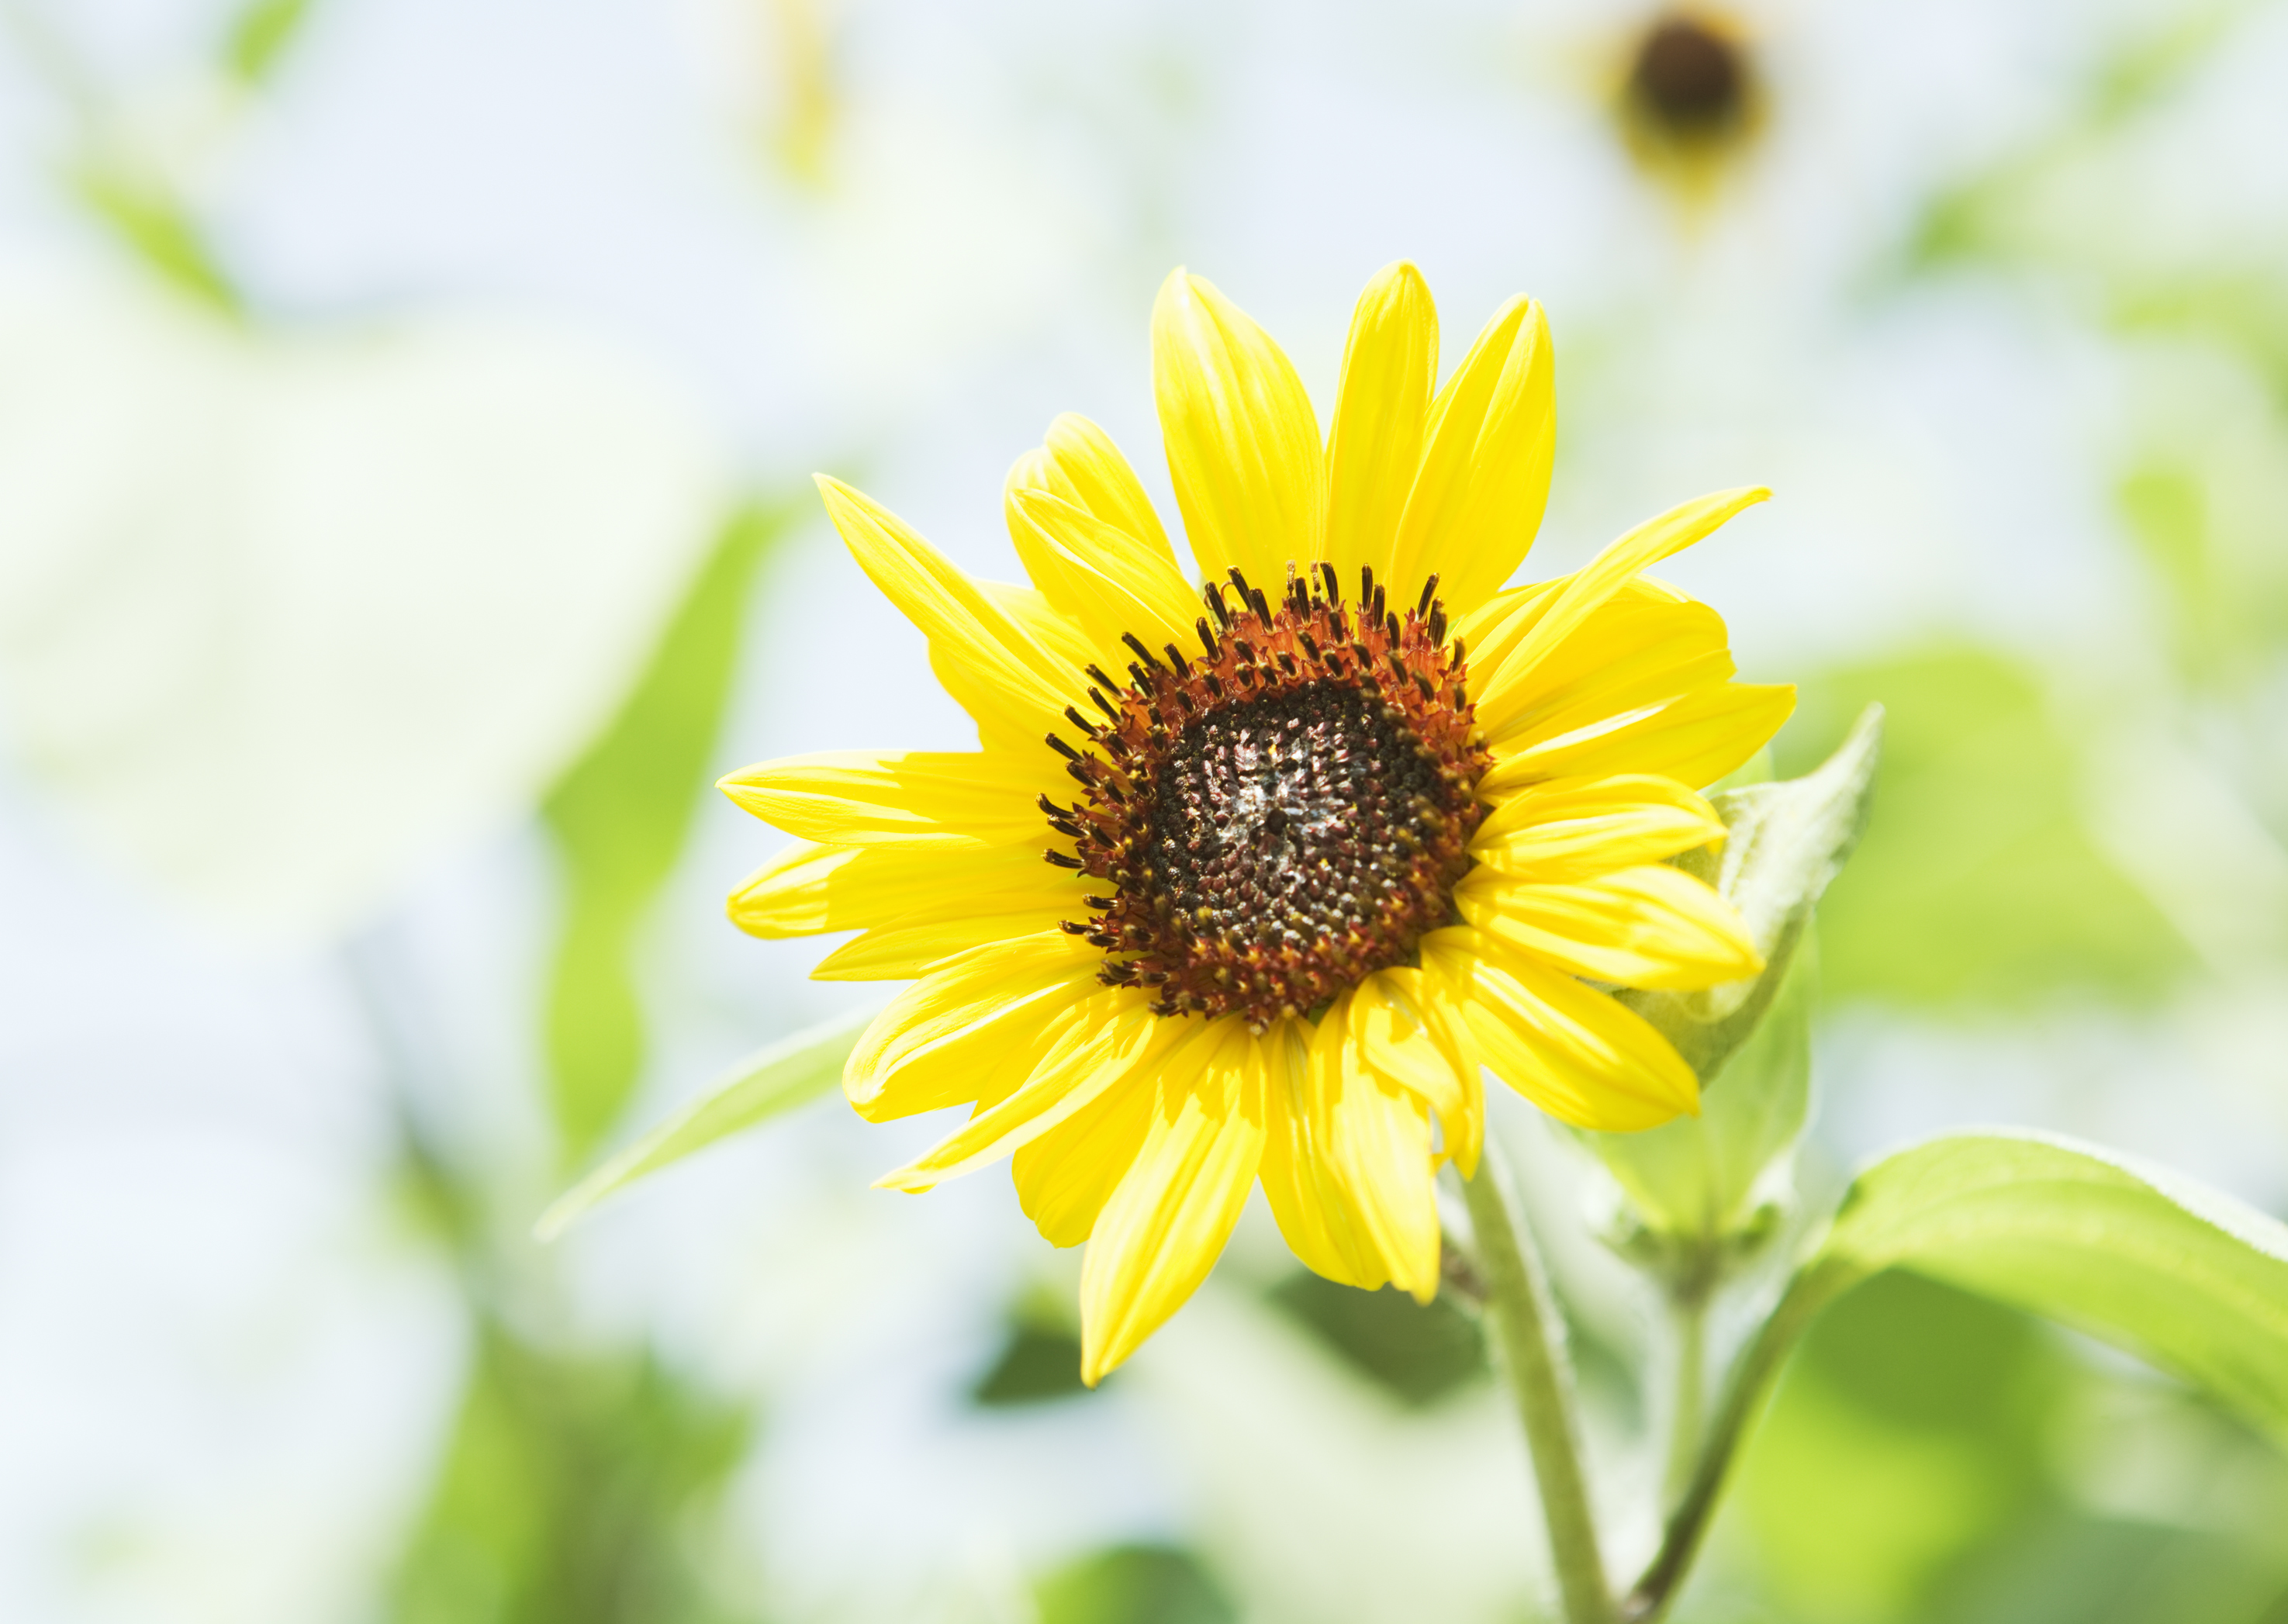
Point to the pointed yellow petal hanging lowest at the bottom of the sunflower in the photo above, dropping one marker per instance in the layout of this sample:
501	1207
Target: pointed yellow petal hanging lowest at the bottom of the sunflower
1170	1218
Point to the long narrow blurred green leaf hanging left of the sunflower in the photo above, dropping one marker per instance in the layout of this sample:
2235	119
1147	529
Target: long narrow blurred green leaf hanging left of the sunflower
619	818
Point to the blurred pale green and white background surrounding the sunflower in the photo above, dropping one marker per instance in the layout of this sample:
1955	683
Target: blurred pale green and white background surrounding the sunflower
1992	294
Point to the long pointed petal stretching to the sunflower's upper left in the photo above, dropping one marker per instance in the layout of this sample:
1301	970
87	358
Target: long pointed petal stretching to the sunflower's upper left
1019	687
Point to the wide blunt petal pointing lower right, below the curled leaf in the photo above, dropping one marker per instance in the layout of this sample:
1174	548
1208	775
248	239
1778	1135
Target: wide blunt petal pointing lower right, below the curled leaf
1566	1046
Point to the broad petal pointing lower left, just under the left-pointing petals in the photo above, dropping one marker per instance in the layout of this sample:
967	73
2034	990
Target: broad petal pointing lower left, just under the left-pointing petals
939	1040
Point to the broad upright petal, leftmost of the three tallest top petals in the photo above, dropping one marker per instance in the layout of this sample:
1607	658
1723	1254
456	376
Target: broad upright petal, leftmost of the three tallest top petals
1241	436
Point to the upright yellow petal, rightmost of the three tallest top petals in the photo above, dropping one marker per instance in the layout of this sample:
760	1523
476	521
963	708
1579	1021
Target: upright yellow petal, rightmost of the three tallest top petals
1484	481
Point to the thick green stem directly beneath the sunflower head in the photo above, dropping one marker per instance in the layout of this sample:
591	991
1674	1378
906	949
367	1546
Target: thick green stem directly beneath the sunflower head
1527	1335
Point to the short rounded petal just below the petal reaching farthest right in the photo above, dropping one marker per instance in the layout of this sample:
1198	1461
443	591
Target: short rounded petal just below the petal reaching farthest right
1578	827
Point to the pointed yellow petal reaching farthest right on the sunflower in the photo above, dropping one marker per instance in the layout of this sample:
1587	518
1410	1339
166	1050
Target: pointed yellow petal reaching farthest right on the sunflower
1694	740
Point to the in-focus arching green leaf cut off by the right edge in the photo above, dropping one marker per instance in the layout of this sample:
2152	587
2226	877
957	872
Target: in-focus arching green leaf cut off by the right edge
2156	1264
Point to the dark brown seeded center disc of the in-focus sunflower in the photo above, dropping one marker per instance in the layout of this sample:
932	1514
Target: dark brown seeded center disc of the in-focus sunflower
1280	815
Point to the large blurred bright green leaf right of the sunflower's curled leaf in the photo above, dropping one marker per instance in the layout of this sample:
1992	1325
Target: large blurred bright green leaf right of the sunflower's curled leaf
1980	886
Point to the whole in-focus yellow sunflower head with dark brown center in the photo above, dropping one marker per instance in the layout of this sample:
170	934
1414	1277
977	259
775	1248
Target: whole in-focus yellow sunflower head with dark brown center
1253	882
